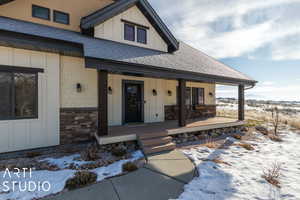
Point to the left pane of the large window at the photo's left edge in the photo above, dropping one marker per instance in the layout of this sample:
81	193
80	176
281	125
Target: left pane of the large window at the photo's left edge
5	98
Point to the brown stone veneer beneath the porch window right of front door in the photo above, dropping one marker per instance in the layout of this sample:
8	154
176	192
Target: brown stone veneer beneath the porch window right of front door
202	111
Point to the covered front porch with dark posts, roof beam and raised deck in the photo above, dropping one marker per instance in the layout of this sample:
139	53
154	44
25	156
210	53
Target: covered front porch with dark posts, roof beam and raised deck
127	132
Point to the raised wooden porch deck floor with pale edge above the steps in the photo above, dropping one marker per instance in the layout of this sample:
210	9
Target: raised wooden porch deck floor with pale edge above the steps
130	132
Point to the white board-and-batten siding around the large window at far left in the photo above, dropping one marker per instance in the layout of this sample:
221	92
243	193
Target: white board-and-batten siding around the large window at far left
43	131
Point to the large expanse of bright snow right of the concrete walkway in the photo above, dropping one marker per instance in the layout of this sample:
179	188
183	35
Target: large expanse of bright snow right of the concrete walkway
242	178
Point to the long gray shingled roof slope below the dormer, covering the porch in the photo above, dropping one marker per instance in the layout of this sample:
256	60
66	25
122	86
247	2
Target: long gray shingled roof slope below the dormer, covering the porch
186	62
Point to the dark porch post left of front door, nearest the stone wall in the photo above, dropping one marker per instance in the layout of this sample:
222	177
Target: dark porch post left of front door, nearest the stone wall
102	103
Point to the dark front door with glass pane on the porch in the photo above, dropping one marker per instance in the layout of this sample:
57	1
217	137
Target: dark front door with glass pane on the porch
133	102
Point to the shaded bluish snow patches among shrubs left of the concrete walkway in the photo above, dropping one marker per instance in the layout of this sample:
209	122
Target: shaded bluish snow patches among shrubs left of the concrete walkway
57	179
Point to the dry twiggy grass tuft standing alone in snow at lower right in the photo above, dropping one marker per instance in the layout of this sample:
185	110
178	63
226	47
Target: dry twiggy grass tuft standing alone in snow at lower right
273	174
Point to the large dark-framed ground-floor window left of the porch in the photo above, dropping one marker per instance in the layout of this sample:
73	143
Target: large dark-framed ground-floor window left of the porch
18	98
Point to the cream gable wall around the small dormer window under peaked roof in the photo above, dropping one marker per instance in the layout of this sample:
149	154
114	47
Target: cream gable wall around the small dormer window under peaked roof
113	29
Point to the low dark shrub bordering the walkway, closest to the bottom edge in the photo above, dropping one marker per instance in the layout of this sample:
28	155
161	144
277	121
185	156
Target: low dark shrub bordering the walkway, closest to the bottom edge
81	178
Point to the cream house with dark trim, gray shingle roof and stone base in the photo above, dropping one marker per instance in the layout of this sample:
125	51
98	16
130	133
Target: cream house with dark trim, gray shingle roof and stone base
71	69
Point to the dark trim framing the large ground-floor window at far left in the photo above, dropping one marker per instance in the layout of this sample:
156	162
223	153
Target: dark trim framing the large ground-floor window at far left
12	70
